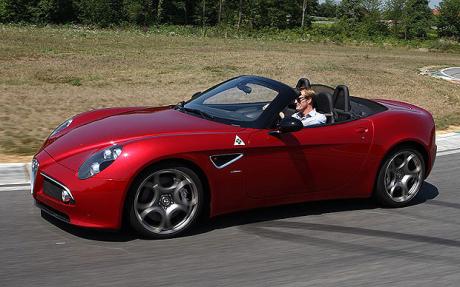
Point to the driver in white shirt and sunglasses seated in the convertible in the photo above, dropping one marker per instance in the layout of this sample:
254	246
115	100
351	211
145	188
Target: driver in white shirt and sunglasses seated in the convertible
306	113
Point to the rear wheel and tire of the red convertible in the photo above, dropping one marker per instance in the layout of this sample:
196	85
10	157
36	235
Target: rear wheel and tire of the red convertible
400	177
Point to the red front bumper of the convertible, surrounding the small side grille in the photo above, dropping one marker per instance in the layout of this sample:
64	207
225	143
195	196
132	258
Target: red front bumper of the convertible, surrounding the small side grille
97	202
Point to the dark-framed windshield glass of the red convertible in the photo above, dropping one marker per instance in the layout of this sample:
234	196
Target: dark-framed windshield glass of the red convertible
237	101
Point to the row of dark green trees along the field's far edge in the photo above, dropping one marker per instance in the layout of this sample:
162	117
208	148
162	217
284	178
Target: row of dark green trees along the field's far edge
402	18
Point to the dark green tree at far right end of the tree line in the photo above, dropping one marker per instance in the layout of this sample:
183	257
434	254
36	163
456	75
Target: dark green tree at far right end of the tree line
449	18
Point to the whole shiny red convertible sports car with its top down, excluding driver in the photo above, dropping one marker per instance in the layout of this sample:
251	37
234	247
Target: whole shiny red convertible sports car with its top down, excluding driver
232	147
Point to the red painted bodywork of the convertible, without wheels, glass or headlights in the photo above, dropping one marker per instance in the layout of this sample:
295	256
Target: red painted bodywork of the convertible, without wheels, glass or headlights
325	162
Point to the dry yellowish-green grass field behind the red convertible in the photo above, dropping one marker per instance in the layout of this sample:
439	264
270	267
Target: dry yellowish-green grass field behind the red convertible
49	74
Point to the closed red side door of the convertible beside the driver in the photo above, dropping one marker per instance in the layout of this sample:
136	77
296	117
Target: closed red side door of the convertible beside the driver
315	159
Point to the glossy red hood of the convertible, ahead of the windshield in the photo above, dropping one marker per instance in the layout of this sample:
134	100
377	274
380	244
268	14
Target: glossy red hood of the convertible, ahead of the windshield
95	130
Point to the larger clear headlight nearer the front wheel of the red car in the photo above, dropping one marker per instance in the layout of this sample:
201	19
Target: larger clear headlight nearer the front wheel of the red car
99	161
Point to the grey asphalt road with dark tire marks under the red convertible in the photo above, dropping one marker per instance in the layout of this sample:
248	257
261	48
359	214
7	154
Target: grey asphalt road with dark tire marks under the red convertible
338	243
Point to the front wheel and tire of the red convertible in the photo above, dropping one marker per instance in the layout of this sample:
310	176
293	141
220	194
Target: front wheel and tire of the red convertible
165	201
